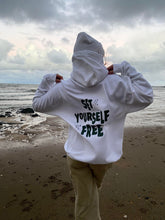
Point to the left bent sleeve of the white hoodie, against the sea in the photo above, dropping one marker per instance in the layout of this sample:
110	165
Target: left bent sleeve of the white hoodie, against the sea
48	95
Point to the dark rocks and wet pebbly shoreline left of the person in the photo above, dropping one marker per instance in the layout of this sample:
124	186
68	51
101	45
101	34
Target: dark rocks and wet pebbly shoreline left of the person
14	124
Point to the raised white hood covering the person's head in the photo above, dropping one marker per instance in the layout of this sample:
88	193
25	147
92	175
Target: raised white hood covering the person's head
88	66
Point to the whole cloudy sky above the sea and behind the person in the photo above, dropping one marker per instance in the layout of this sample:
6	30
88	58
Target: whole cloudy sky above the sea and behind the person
37	36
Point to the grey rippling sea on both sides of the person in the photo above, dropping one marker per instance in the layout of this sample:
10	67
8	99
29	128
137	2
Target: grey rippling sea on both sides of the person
17	96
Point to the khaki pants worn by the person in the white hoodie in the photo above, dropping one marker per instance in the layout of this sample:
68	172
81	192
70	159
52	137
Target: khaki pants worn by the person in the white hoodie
87	179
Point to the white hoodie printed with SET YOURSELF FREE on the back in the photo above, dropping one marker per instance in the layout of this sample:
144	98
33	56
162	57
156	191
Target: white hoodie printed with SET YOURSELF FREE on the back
94	103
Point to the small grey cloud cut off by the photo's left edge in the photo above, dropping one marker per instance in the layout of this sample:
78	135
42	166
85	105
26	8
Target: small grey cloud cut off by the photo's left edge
5	47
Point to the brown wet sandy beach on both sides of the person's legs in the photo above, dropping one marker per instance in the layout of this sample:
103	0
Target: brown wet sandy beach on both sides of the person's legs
35	182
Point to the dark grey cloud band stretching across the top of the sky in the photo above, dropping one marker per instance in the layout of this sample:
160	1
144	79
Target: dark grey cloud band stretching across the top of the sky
55	14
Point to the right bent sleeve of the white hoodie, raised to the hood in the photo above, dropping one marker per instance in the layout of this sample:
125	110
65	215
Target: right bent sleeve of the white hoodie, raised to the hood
133	90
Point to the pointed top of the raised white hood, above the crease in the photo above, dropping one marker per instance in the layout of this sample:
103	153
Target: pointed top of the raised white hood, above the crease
86	42
